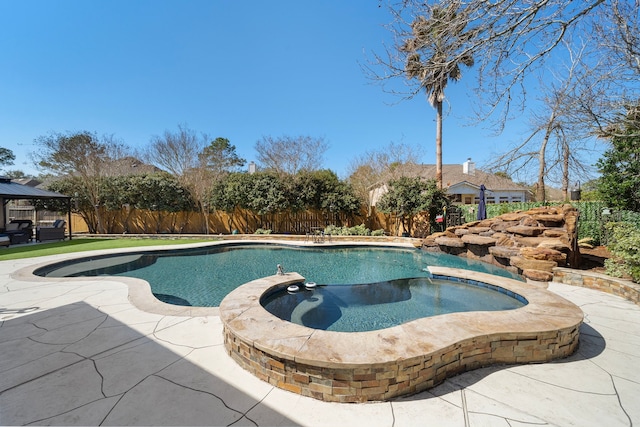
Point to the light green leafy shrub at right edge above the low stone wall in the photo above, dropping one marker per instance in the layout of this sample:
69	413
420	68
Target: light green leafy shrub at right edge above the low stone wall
625	248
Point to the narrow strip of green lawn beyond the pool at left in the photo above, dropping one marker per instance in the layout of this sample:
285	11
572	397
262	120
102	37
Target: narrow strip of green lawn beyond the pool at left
81	245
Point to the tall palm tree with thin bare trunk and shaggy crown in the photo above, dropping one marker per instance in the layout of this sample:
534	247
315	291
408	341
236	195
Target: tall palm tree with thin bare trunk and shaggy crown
440	39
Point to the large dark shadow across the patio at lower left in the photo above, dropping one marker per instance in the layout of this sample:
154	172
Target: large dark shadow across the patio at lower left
76	365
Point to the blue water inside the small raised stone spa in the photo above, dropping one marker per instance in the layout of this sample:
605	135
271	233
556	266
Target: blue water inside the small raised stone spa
350	308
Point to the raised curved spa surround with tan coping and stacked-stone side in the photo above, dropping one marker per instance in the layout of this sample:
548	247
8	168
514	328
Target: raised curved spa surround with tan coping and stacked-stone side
405	359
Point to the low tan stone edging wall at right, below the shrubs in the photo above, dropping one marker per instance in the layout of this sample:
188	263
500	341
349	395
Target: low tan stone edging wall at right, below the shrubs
601	282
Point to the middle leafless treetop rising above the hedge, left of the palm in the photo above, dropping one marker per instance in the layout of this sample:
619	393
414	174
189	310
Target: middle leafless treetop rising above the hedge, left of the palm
289	155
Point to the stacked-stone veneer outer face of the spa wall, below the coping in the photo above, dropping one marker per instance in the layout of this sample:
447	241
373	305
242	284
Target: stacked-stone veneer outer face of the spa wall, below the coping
392	379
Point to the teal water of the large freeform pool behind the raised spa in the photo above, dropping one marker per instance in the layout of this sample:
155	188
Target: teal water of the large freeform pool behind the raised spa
204	276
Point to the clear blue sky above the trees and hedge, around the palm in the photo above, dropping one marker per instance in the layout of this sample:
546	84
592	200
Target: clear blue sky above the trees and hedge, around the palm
238	70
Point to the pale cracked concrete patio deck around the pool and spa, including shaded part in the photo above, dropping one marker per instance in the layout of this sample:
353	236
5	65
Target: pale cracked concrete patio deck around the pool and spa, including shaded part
80	353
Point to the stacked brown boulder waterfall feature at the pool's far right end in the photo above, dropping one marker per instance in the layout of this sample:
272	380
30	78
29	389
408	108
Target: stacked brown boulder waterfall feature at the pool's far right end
531	243
